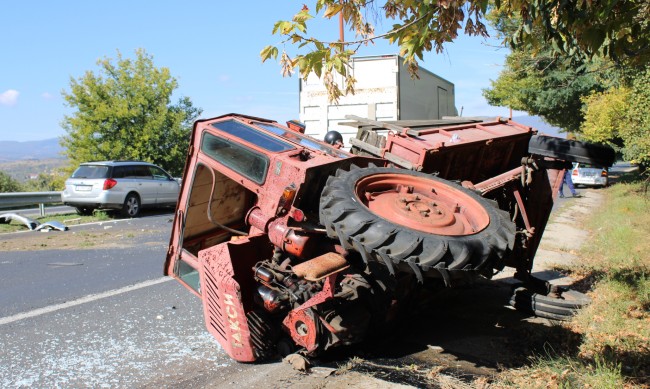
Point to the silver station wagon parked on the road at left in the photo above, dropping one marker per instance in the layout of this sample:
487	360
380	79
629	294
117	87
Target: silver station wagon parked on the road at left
127	186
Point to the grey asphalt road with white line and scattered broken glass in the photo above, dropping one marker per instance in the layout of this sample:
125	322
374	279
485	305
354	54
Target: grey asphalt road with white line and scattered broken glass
101	317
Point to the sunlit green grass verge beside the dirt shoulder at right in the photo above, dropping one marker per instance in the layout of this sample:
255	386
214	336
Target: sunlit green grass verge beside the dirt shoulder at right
615	328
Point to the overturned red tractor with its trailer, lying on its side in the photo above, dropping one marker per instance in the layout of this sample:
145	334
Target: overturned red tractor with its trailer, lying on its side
292	243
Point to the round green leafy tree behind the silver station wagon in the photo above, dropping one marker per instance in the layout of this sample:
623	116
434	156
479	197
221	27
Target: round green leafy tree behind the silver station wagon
124	112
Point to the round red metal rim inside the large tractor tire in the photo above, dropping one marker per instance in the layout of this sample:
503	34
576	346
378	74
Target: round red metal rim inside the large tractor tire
422	204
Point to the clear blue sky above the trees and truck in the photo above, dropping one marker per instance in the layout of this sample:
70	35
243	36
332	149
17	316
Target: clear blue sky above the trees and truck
211	48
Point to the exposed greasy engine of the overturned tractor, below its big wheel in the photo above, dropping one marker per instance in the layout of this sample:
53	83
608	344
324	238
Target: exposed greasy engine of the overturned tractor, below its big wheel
321	302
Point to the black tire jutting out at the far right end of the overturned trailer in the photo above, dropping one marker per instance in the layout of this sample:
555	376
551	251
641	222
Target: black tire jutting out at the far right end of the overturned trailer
572	150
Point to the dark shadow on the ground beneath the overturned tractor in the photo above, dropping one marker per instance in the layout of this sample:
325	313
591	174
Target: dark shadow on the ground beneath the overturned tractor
467	332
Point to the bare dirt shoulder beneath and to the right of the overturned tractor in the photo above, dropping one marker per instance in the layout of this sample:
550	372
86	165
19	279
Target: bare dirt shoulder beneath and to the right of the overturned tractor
460	339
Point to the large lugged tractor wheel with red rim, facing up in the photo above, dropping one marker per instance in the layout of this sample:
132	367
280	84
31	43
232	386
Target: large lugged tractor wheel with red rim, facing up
400	216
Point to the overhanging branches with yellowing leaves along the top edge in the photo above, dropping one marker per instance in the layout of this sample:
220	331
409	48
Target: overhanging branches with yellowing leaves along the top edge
615	29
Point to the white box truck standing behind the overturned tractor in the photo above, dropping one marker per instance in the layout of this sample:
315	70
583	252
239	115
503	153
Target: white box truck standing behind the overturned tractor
384	91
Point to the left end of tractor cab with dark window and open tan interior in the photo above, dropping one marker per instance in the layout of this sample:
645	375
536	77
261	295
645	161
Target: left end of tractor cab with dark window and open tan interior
212	206
